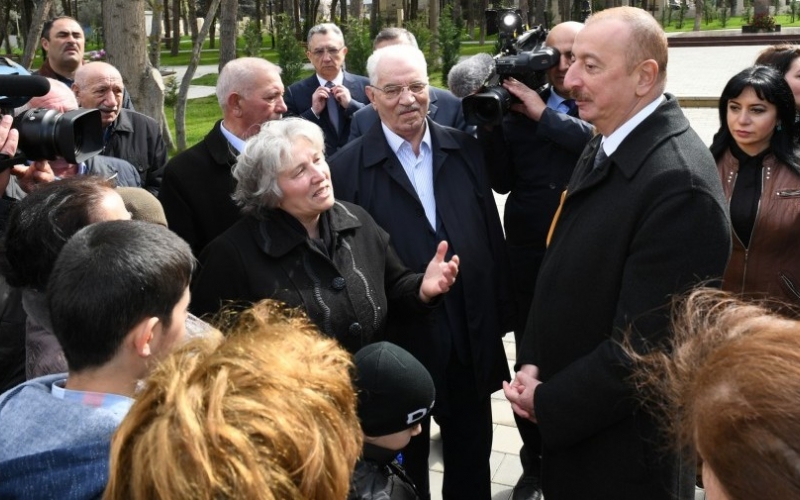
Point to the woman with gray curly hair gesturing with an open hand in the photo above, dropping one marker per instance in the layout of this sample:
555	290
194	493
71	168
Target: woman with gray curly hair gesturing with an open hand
299	245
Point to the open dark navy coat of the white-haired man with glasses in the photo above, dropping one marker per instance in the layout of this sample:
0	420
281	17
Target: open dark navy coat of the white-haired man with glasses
478	308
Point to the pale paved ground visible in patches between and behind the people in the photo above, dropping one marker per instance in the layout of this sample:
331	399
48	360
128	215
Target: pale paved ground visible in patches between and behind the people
696	72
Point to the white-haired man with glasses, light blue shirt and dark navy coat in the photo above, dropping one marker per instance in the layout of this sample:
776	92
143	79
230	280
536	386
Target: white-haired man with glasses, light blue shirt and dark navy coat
424	183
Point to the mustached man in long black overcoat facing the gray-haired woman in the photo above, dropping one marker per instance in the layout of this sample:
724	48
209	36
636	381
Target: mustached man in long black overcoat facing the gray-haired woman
644	218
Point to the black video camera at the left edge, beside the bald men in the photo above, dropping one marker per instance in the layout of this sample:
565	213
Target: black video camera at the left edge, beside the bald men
45	134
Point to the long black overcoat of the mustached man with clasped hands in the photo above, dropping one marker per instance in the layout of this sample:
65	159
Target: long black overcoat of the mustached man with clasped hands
649	223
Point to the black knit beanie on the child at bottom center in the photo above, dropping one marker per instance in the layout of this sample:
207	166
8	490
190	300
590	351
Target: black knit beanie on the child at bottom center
395	391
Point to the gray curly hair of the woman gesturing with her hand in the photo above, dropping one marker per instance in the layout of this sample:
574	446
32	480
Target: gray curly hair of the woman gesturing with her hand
265	156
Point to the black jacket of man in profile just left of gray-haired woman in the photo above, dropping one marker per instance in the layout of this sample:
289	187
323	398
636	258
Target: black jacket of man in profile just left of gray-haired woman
196	190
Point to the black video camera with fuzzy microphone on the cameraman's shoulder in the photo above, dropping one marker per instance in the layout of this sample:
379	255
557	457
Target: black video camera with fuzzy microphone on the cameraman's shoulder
522	56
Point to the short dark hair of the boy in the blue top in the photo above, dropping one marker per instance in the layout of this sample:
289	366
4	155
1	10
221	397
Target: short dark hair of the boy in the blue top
107	279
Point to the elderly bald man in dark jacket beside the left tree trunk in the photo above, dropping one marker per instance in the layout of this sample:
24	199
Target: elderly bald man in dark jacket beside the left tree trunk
127	134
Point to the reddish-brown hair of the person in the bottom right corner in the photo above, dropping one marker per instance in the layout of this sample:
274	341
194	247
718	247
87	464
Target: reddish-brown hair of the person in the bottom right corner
729	390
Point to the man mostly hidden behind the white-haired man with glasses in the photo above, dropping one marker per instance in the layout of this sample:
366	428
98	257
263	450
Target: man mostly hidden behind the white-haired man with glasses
444	108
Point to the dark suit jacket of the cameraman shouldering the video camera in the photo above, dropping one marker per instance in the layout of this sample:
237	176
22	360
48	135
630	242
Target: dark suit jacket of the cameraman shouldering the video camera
533	162
